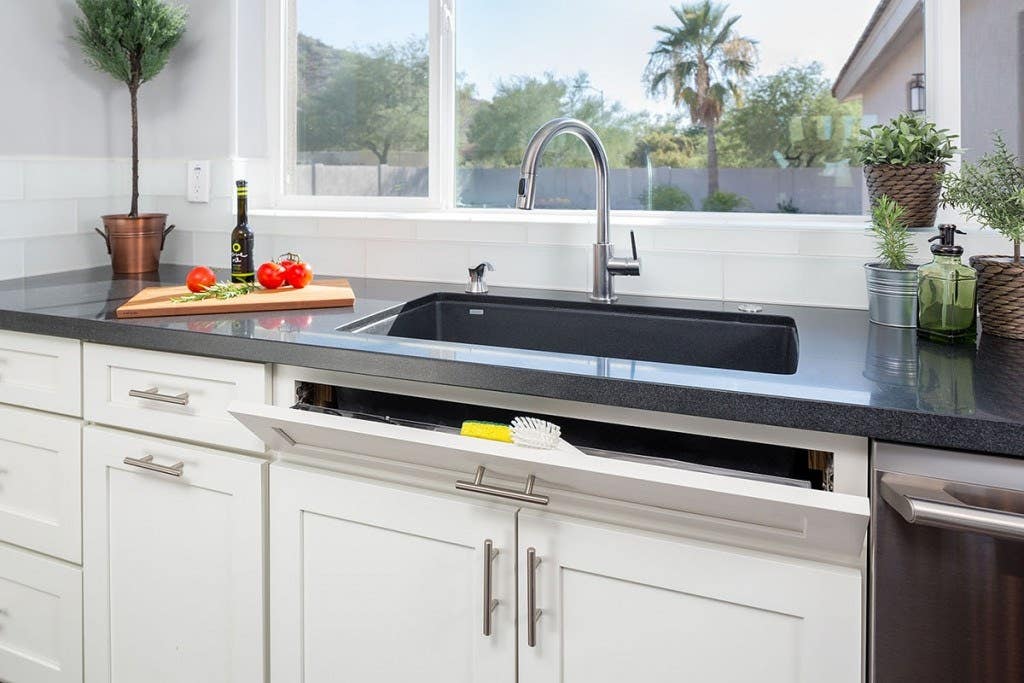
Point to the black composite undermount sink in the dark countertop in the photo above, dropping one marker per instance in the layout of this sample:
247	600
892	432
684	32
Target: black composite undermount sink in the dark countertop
736	341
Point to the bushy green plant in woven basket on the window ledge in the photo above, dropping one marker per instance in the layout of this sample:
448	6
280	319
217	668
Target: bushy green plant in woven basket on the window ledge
904	160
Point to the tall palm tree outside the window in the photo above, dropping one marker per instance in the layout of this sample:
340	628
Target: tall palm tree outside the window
700	63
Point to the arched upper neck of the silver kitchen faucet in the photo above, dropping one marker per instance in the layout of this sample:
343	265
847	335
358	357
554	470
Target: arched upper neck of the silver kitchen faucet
532	159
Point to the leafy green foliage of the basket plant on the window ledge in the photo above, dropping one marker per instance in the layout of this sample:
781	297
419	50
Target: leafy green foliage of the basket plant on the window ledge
905	141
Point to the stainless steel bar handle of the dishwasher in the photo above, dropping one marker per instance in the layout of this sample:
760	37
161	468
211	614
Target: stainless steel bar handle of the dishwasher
951	514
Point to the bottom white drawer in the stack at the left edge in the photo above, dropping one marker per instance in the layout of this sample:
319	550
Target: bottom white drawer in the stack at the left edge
40	620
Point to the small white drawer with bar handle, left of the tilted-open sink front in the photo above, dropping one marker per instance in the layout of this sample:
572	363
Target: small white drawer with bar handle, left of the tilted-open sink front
172	395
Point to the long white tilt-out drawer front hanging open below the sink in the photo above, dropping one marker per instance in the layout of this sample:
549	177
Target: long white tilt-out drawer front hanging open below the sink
717	507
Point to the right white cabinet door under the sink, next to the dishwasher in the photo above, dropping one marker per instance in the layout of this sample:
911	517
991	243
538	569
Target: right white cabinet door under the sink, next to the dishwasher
622	606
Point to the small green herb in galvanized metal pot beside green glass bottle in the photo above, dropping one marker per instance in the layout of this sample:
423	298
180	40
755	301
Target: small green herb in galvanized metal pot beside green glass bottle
892	281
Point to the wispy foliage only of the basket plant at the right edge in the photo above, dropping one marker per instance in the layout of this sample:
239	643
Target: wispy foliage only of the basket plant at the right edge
991	192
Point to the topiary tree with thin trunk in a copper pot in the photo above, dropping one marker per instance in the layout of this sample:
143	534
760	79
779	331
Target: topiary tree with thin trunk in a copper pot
132	40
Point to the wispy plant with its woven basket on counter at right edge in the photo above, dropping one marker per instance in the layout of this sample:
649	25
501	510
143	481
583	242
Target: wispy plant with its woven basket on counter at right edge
992	192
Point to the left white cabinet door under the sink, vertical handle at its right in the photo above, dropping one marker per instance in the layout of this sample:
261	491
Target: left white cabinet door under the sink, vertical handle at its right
371	582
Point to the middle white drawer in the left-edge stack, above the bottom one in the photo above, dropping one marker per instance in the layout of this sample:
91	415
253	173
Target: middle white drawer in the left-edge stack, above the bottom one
41	483
